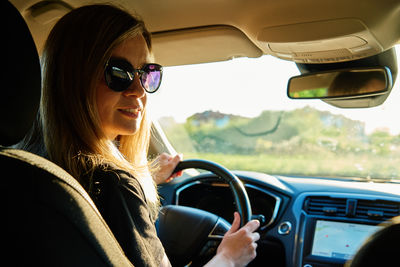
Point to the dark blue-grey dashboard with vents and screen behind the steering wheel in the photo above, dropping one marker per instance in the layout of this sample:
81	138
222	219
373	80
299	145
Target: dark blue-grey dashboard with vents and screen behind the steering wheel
309	222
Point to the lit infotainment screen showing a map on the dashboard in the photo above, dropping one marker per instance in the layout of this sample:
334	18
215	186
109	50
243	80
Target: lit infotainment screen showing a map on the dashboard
340	240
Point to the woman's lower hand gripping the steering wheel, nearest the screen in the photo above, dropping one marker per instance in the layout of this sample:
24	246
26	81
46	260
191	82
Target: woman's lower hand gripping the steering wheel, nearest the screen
238	247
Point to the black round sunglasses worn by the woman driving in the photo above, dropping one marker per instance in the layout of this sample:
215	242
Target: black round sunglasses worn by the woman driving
119	75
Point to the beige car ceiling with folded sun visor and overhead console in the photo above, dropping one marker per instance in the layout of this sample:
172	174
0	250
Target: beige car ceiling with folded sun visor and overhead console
198	31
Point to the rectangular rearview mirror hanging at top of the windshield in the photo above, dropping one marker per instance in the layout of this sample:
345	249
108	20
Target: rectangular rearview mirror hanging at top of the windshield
341	84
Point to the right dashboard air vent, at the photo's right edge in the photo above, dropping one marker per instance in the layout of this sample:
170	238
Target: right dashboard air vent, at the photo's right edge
379	210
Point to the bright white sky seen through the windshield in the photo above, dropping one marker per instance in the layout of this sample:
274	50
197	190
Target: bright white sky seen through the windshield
247	86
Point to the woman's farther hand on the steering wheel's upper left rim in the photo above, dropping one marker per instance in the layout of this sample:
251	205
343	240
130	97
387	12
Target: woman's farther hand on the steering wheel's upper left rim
166	165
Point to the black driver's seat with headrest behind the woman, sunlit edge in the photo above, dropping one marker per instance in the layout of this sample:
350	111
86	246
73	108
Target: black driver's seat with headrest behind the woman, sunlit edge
50	219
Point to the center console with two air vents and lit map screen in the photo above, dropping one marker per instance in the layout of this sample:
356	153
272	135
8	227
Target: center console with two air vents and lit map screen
332	229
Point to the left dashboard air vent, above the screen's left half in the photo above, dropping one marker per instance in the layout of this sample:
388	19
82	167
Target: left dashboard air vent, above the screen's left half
325	206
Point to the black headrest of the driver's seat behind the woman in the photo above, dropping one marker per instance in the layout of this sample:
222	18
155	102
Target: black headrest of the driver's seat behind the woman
20	79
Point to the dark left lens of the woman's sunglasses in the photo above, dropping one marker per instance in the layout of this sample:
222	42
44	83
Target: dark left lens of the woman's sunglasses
118	75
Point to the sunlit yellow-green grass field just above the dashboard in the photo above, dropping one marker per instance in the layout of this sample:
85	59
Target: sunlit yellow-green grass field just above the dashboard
347	166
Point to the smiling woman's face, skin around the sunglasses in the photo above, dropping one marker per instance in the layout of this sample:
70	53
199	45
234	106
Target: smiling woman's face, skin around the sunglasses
122	112
